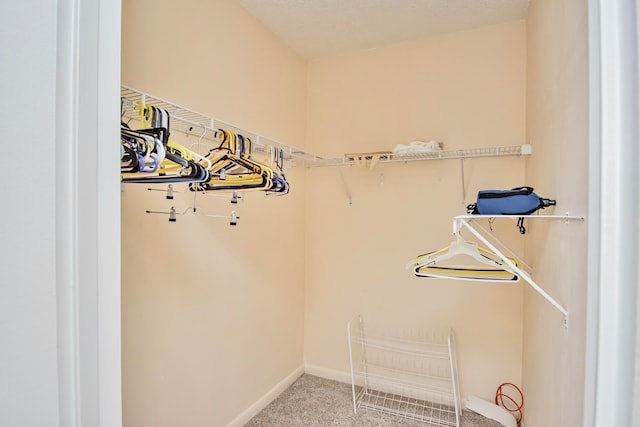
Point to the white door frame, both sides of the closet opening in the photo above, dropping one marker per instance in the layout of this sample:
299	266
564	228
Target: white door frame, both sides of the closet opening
88	213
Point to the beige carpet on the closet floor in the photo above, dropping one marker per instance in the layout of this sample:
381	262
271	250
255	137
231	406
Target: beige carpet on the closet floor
317	402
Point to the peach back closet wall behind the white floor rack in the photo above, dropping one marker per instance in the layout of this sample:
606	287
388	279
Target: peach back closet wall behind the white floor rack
466	89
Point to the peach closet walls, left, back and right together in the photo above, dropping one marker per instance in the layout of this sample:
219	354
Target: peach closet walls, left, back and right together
226	304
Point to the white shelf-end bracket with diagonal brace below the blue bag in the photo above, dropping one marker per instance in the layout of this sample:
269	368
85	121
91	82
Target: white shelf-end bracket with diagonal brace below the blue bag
465	221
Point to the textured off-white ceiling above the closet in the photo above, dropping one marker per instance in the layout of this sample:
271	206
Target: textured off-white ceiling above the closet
318	28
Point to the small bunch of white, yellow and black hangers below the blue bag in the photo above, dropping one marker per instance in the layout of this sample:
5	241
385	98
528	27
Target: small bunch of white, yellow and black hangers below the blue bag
488	266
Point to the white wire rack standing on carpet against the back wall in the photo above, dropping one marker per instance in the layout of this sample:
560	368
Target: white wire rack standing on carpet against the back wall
410	376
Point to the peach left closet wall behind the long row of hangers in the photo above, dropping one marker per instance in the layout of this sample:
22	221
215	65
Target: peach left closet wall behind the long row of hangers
212	314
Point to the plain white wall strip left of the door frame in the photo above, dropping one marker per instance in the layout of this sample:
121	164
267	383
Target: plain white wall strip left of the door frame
28	360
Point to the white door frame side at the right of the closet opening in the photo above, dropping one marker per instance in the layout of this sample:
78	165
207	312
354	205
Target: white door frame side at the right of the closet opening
611	377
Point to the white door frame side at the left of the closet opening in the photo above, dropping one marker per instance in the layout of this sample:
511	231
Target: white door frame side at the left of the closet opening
88	213
